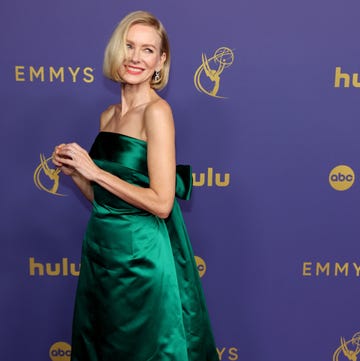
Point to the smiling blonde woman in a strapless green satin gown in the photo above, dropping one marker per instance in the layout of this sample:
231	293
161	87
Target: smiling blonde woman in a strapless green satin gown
139	296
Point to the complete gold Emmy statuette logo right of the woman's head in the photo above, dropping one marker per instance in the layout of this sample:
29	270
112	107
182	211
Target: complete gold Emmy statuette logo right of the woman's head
212	68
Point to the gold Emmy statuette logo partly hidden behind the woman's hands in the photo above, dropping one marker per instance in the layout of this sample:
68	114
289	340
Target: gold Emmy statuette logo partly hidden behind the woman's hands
46	178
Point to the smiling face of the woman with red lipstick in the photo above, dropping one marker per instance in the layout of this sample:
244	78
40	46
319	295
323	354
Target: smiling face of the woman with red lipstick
143	55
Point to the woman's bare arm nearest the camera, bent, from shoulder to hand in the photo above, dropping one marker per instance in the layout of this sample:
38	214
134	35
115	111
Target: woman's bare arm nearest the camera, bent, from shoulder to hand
158	198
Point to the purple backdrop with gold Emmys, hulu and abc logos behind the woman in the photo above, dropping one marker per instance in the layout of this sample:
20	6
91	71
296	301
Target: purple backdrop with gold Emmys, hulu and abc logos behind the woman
266	101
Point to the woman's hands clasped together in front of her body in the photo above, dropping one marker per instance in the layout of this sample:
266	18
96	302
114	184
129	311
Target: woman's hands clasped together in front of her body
71	158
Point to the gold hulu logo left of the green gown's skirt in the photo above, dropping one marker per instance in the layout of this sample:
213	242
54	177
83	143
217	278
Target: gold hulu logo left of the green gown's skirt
63	268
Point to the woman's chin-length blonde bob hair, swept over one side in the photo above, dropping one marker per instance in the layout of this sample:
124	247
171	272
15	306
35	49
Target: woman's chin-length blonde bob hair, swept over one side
115	52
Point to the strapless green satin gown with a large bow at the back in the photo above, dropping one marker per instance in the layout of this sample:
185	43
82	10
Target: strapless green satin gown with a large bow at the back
139	296
